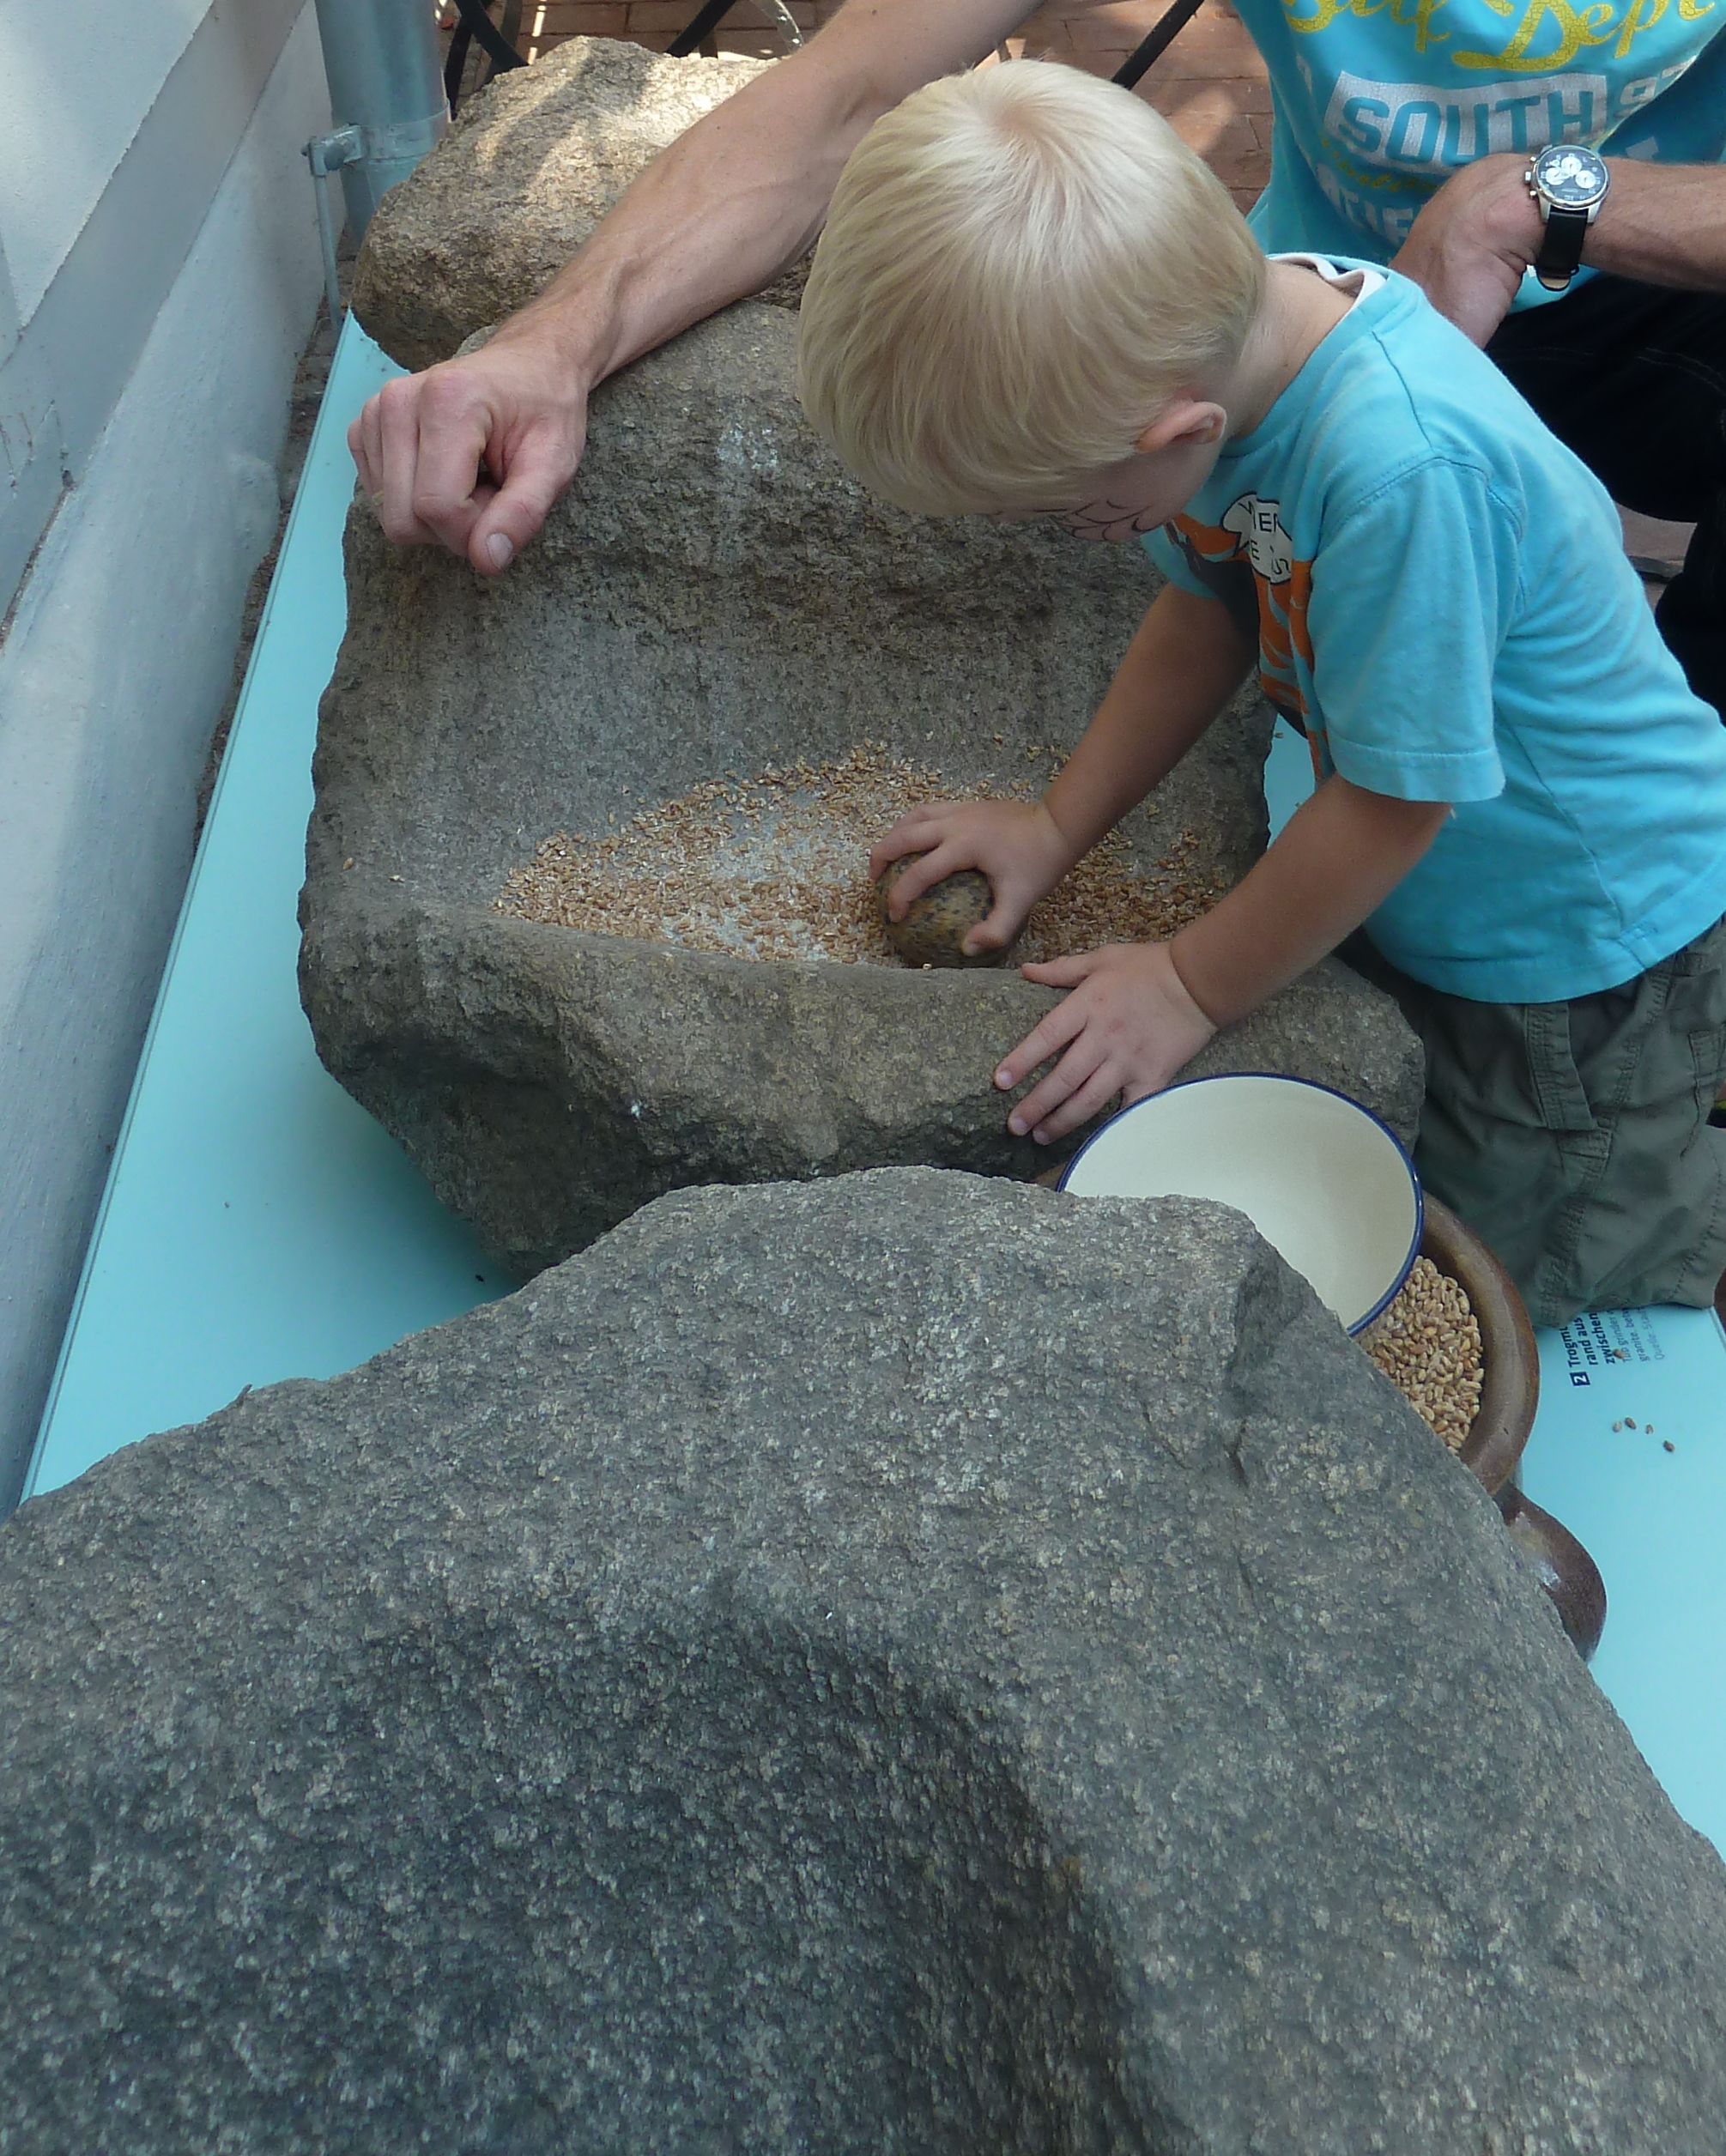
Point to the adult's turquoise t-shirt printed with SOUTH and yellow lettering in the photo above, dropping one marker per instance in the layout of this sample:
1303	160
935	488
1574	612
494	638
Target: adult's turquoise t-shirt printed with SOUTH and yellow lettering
1378	102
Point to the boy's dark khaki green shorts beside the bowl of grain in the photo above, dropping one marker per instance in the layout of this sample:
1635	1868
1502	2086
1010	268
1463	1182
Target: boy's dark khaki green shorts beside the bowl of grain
1574	1137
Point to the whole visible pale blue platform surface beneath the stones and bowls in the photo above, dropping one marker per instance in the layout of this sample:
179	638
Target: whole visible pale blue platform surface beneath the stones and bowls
260	1226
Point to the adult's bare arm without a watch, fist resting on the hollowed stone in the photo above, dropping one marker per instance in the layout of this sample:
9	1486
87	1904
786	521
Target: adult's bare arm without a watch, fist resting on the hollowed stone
475	452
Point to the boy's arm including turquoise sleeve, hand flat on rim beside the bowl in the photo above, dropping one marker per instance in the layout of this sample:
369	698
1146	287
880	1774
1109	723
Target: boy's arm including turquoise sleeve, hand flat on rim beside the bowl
1415	594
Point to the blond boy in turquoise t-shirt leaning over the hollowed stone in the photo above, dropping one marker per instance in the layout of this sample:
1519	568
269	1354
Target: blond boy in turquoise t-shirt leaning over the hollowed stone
1031	299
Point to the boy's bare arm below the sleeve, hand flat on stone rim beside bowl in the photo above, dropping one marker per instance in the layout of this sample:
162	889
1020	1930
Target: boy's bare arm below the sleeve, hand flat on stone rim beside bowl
1137	1014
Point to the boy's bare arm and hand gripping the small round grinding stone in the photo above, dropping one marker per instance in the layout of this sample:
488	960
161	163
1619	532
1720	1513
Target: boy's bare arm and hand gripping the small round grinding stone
1175	678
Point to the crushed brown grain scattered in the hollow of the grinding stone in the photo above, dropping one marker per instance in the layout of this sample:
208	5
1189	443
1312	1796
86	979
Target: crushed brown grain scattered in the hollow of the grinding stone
777	868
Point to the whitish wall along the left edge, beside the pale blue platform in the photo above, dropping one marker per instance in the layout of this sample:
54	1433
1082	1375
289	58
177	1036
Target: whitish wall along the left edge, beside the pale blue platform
122	641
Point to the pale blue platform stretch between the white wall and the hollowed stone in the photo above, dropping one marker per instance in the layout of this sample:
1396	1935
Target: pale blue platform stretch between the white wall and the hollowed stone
257	1221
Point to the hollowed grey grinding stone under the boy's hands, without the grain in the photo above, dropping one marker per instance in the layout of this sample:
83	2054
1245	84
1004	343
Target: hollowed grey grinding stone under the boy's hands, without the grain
714	596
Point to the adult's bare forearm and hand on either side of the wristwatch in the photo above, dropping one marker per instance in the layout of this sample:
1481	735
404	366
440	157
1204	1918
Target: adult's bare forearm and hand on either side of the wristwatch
1471	245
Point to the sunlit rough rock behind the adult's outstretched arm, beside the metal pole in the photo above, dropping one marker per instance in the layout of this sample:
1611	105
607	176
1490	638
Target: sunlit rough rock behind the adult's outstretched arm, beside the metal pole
518	184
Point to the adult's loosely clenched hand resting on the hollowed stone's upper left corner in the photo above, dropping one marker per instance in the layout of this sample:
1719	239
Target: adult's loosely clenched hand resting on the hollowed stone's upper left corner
475	452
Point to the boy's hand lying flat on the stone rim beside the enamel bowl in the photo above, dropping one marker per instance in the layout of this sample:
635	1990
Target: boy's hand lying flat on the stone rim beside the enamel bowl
1128	1029
